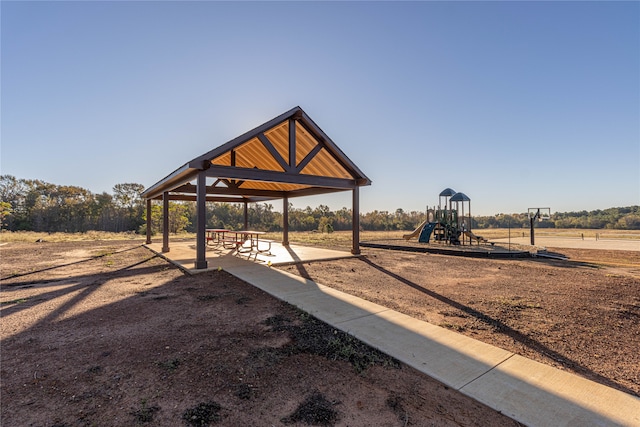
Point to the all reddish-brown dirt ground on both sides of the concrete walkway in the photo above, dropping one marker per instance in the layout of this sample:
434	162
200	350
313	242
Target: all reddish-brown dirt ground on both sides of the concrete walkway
107	334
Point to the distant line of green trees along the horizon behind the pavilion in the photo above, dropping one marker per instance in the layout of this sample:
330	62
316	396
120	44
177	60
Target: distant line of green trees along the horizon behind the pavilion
34	205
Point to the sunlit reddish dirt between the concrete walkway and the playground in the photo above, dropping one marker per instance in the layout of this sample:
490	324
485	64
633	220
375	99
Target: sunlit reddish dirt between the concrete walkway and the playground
581	315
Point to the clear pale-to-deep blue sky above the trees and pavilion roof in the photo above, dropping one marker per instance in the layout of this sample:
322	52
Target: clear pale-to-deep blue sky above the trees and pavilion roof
516	104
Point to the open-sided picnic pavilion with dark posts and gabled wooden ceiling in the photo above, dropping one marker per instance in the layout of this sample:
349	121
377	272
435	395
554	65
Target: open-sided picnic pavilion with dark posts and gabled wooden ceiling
288	156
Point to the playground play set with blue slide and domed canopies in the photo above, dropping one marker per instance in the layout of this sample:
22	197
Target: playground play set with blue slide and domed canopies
448	222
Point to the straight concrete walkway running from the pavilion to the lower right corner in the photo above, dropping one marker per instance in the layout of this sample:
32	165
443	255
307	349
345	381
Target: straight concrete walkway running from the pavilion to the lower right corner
527	391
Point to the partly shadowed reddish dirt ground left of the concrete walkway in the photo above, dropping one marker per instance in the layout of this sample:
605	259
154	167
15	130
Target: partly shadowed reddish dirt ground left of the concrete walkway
107	334
